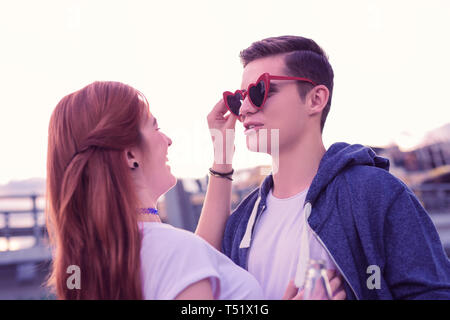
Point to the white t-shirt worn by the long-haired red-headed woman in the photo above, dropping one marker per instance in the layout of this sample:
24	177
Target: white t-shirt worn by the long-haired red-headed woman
172	259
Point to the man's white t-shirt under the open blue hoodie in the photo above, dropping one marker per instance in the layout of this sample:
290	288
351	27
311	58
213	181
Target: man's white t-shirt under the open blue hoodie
275	247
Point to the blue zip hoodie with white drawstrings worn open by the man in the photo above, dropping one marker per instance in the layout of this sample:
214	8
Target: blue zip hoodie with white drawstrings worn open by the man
363	216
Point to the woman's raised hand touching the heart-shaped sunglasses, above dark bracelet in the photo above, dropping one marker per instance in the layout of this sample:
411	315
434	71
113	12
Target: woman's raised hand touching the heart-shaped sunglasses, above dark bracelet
221	128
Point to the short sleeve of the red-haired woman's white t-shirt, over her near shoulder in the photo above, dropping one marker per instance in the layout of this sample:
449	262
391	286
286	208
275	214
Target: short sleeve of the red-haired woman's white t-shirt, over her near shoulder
172	259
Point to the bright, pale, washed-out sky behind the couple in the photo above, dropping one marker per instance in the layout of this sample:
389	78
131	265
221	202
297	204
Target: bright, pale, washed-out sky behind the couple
390	60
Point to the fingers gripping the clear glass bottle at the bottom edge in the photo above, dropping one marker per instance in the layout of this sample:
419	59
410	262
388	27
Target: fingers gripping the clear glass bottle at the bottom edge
336	284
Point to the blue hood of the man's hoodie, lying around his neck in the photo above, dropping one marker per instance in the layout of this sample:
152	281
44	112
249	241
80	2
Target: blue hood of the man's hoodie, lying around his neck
339	157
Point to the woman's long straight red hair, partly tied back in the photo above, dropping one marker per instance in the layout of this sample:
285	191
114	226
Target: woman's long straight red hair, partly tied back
91	212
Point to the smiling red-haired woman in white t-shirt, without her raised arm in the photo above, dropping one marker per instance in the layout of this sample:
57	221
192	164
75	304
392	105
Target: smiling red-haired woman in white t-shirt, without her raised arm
106	169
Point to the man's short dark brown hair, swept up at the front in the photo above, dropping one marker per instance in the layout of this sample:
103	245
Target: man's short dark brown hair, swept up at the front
304	58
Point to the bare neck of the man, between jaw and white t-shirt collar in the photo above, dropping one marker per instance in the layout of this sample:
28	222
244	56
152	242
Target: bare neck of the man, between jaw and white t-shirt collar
297	167
